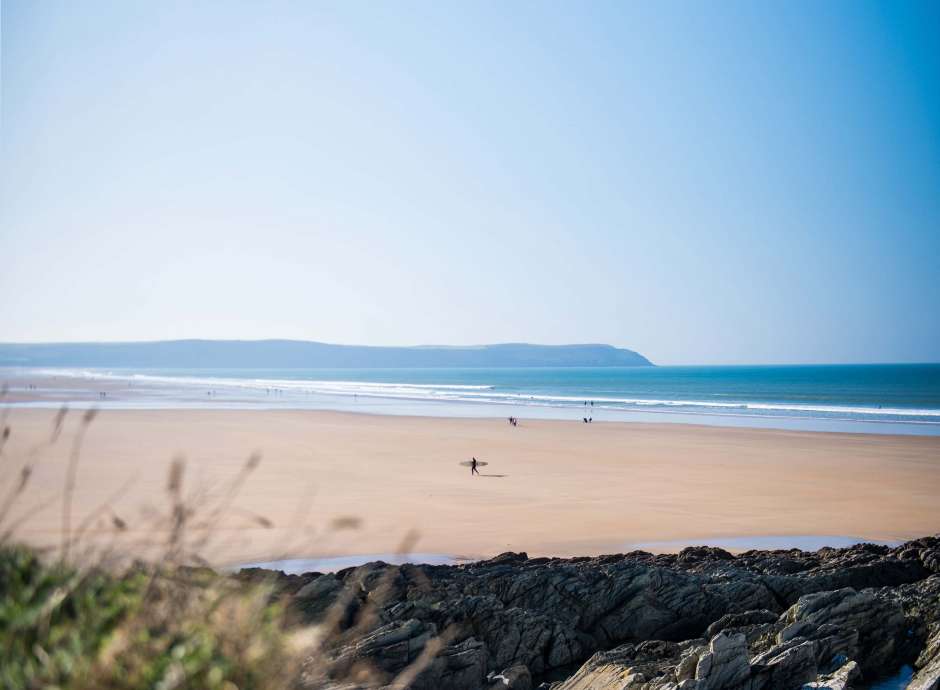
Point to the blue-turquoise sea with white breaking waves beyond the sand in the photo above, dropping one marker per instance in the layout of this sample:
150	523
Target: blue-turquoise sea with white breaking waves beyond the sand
879	398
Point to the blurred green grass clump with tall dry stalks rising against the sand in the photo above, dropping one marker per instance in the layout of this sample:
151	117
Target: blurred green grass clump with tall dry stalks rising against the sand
73	618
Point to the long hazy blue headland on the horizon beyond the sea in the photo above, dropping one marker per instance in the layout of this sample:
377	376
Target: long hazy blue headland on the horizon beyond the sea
309	354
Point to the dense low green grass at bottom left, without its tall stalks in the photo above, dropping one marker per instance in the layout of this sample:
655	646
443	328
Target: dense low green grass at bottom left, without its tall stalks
61	627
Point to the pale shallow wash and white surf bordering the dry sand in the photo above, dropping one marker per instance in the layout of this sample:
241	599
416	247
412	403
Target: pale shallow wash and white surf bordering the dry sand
102	390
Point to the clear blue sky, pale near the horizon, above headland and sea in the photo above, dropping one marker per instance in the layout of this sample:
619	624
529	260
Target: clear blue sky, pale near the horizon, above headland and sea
703	182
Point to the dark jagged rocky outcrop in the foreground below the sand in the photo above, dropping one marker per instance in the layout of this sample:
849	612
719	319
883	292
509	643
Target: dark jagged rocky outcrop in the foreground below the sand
703	619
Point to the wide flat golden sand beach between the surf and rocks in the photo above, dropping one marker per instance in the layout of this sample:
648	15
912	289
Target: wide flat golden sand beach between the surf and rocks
550	488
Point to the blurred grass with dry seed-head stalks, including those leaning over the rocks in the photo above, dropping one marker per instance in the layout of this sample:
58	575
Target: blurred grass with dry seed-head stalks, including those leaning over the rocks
166	624
